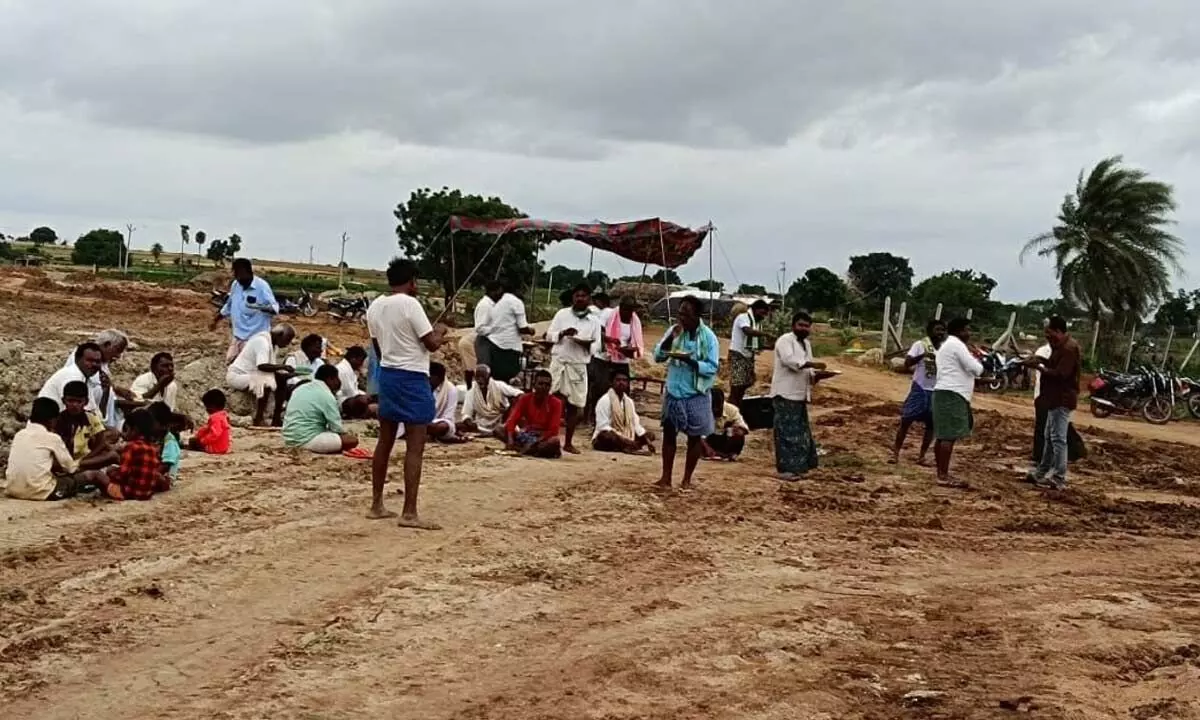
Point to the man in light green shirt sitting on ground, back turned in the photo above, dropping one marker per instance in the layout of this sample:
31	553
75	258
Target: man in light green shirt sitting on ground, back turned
314	419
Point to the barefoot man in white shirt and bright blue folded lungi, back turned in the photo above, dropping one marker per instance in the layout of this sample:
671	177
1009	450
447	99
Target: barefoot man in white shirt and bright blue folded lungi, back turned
403	338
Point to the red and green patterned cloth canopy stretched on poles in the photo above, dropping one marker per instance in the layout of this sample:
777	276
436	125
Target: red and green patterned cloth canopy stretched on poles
653	242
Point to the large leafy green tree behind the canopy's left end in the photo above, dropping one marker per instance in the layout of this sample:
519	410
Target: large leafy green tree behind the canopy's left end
425	238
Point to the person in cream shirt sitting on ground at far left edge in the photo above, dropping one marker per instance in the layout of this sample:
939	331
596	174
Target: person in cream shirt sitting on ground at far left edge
40	467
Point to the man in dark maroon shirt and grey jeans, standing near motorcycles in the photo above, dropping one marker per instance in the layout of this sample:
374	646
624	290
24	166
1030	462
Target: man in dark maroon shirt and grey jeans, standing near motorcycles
1059	397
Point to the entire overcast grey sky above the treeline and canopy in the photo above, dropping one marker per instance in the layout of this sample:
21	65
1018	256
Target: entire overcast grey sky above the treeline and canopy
940	130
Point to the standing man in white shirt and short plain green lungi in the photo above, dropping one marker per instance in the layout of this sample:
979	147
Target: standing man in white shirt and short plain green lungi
958	370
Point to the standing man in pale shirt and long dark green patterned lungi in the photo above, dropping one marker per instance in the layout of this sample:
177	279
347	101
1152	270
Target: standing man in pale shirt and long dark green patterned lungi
791	389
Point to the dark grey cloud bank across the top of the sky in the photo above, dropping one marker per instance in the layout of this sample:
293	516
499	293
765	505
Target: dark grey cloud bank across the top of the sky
553	77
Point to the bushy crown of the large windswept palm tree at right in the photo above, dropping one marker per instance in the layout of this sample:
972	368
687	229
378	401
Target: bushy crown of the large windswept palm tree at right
1112	249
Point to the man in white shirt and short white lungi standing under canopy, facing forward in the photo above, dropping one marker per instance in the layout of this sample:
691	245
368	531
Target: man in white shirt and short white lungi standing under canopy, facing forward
574	333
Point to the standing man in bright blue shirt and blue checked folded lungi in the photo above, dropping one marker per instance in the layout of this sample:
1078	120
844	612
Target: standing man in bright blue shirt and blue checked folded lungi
693	356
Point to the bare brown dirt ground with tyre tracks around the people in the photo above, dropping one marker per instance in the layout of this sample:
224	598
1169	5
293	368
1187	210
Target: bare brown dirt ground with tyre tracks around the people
568	590
